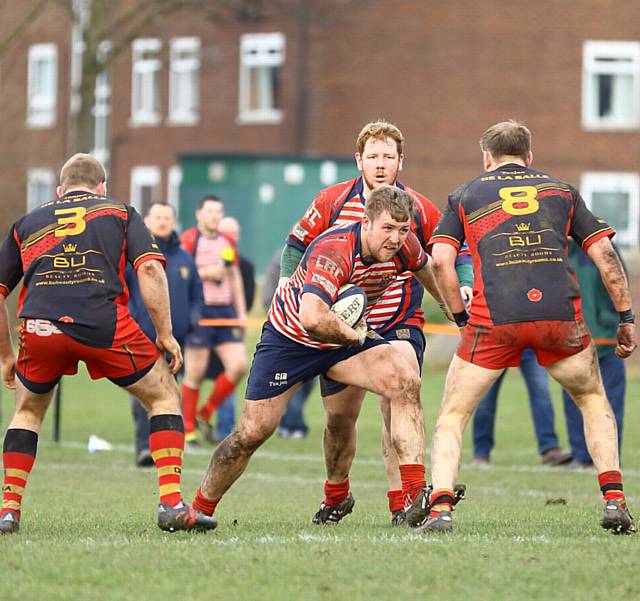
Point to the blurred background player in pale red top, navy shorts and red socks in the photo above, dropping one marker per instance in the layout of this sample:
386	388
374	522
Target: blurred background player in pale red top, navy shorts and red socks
218	266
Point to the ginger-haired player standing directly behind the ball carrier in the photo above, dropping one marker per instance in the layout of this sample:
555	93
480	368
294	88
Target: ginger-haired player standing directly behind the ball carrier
397	315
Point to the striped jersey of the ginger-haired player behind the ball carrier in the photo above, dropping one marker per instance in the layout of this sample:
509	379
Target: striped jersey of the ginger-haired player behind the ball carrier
342	204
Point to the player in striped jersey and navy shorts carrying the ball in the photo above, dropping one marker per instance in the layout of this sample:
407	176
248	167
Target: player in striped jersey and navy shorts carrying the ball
303	338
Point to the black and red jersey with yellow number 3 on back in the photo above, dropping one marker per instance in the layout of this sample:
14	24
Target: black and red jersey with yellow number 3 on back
72	253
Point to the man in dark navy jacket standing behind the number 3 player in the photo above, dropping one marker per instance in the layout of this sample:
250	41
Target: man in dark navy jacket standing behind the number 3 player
185	295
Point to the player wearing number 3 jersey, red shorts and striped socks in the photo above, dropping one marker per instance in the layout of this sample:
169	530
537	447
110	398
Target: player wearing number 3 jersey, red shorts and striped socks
71	254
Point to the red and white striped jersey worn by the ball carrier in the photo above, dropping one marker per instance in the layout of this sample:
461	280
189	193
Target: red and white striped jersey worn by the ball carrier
332	260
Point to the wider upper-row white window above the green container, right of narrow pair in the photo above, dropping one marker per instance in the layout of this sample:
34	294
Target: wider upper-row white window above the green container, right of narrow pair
261	60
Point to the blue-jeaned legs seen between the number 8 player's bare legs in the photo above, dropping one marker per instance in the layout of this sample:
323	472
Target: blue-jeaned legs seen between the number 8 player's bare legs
537	382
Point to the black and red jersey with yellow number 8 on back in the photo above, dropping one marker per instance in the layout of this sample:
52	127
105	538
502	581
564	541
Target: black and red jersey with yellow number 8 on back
516	222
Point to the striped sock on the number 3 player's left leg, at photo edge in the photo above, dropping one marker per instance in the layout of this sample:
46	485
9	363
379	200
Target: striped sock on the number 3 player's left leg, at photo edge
18	457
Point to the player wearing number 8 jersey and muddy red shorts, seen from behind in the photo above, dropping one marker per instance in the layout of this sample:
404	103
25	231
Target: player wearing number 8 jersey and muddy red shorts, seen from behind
516	221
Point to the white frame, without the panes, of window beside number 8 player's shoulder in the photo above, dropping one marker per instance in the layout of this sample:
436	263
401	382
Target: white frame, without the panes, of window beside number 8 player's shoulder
616	182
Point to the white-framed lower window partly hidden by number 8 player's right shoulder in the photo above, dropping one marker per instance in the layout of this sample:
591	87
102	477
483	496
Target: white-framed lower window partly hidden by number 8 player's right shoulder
615	197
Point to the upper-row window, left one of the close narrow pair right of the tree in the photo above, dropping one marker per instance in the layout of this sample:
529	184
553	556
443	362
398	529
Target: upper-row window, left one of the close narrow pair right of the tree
145	84
